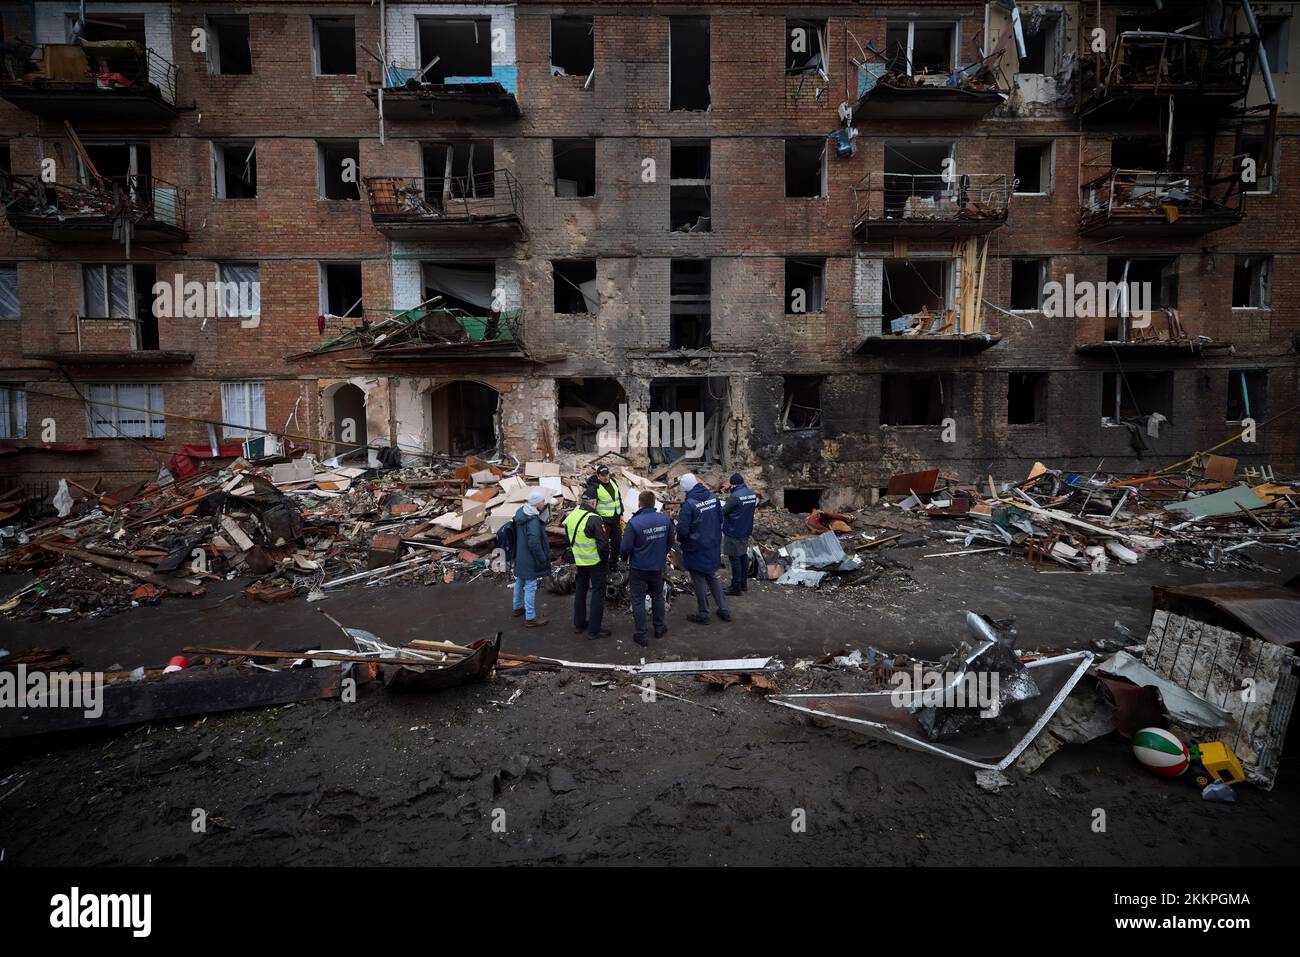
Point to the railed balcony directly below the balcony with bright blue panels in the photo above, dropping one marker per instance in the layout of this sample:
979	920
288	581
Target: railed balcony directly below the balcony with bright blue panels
482	207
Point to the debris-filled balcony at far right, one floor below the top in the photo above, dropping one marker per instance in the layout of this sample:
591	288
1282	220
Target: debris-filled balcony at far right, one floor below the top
1143	203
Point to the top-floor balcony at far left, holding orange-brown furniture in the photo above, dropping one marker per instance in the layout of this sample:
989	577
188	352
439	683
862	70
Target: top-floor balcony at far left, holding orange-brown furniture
118	81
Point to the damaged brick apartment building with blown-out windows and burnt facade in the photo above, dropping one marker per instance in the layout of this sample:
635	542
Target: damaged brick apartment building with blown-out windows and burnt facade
831	229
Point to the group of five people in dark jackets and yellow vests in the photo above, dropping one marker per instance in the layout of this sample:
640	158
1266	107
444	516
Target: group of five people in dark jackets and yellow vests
707	529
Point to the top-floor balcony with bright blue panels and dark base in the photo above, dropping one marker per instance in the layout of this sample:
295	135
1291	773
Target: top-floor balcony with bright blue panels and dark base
409	97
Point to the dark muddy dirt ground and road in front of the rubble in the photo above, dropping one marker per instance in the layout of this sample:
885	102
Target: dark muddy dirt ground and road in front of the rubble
580	770
